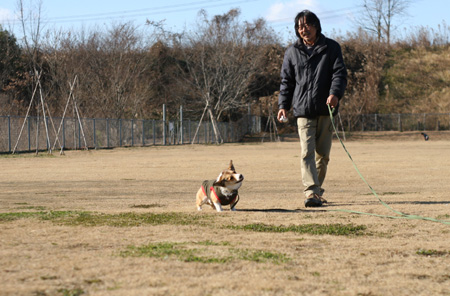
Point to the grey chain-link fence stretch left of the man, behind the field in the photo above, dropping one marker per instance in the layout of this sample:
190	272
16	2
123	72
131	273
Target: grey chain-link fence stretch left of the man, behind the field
30	134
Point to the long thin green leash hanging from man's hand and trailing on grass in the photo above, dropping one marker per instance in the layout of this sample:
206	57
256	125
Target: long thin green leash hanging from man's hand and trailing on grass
400	214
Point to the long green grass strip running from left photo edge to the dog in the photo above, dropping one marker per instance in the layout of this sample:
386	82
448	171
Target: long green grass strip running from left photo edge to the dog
116	220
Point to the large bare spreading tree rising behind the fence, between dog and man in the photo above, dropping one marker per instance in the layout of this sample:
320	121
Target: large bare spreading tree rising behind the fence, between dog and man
221	57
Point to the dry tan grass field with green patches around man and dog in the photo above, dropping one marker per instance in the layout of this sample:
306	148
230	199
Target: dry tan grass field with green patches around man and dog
124	222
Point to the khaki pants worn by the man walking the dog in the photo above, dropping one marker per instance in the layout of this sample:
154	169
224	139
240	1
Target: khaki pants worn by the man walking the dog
316	136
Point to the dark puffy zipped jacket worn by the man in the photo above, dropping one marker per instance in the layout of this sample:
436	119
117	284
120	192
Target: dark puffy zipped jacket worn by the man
307	81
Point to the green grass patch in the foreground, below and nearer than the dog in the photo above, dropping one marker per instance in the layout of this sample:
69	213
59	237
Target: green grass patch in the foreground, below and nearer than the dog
183	252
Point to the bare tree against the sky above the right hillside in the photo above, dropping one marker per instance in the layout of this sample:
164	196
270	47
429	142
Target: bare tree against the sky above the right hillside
378	17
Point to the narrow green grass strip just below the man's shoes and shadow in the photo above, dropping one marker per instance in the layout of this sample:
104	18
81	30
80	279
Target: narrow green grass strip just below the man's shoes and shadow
315	229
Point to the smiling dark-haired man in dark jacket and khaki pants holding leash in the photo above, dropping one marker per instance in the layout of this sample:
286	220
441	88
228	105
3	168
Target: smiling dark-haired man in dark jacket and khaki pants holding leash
313	75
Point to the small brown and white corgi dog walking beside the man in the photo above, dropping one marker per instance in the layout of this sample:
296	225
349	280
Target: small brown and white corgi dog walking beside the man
222	191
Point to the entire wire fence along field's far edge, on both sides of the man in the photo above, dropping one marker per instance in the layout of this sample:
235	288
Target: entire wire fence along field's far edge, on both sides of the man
22	134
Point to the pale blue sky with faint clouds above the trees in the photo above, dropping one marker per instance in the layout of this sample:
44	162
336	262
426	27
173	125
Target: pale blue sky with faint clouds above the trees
336	16
